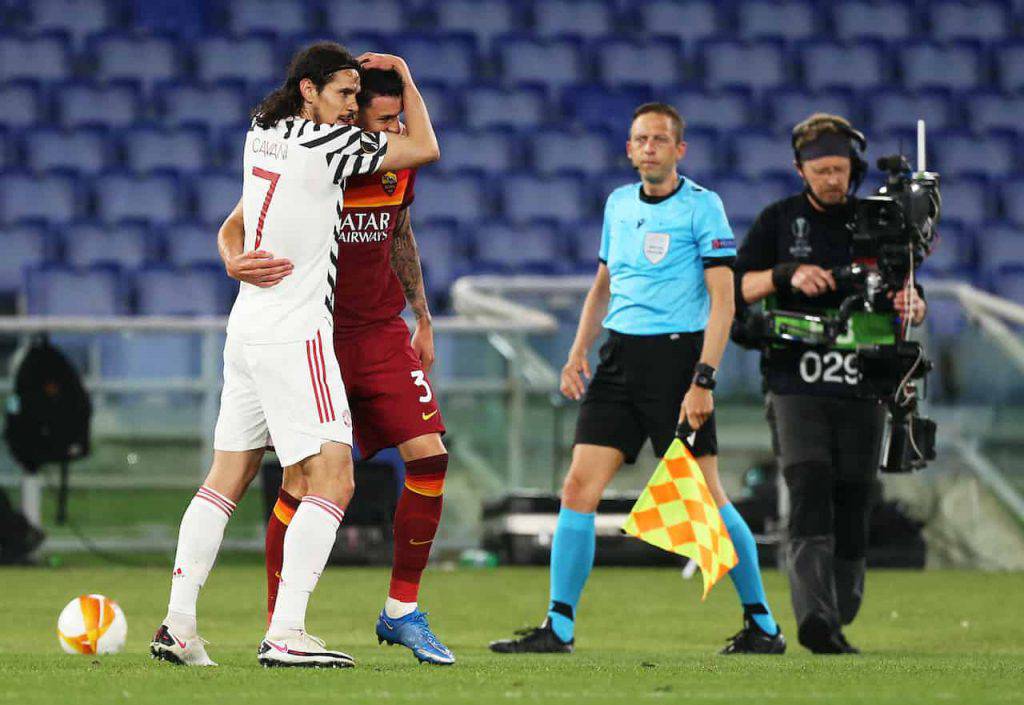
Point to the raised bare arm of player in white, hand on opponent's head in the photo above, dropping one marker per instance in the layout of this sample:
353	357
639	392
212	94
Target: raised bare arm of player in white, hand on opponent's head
419	145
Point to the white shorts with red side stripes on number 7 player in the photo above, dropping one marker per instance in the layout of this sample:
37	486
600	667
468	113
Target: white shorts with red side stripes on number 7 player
291	392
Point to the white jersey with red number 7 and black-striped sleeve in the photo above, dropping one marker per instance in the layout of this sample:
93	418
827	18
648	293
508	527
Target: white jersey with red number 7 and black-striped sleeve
292	202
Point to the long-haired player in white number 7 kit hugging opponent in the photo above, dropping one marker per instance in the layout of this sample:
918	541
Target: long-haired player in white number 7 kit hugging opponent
281	375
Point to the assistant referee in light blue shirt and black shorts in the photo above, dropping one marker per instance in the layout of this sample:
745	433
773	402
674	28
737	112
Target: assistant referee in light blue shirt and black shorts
665	291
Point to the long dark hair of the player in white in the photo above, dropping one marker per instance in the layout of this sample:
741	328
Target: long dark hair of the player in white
318	63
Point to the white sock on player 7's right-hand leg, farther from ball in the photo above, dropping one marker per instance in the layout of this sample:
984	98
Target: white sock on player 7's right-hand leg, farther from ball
308	547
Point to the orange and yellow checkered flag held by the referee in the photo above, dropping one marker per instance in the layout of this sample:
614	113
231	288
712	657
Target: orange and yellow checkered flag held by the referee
677	513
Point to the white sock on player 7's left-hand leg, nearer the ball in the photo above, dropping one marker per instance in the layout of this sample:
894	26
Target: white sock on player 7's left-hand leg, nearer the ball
199	541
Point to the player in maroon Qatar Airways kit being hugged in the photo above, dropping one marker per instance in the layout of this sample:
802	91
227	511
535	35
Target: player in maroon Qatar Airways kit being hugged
385	371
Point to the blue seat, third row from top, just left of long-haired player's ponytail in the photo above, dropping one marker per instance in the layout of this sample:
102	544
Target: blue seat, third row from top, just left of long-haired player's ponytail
210	106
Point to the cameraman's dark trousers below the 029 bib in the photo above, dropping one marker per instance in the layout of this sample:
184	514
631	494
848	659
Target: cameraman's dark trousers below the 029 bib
828	449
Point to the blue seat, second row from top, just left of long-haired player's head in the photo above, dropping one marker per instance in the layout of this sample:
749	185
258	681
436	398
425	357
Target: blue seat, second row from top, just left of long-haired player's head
250	59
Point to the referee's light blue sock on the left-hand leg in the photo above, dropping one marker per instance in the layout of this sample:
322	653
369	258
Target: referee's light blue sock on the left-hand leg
572	559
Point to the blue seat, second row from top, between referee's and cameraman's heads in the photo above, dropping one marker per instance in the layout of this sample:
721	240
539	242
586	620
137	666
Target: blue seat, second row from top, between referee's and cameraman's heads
755	65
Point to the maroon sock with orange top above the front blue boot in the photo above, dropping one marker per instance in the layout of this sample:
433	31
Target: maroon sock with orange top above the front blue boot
416	522
